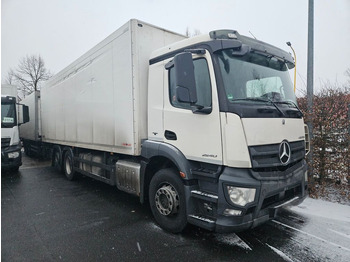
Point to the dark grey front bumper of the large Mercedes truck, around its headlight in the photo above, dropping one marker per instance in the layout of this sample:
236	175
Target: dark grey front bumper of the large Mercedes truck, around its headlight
272	194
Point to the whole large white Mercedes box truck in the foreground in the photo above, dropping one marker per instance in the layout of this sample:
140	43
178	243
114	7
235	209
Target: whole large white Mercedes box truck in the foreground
207	129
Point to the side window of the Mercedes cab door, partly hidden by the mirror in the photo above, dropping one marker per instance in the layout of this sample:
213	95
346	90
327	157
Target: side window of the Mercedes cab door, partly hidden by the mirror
203	85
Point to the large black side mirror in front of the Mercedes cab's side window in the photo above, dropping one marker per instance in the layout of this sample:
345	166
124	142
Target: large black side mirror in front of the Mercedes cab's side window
184	78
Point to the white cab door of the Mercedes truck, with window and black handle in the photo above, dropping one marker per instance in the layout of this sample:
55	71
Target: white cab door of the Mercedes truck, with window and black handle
196	133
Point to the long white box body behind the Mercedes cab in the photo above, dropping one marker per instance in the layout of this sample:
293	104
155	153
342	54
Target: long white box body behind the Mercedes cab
100	101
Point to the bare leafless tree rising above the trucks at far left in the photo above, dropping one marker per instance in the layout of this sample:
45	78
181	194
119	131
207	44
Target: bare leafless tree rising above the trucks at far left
29	74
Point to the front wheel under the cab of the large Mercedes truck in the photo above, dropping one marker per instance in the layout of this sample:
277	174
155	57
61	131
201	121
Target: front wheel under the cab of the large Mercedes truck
167	200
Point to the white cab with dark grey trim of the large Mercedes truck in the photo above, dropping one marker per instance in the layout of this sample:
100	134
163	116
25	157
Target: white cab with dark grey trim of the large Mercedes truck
225	103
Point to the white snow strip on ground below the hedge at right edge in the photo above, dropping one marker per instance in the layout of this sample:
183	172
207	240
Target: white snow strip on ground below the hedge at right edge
325	209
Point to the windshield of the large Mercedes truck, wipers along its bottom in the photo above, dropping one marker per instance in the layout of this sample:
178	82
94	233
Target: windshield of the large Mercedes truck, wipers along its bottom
255	78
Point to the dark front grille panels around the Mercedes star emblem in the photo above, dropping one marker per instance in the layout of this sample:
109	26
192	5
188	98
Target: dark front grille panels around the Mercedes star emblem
267	156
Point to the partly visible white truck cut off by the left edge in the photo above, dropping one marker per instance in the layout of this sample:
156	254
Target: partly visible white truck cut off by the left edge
12	116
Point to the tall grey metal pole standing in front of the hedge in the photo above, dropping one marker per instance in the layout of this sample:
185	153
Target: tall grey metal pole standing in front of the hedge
310	77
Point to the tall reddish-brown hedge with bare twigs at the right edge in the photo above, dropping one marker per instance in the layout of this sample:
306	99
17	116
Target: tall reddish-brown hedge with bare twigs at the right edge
331	135
